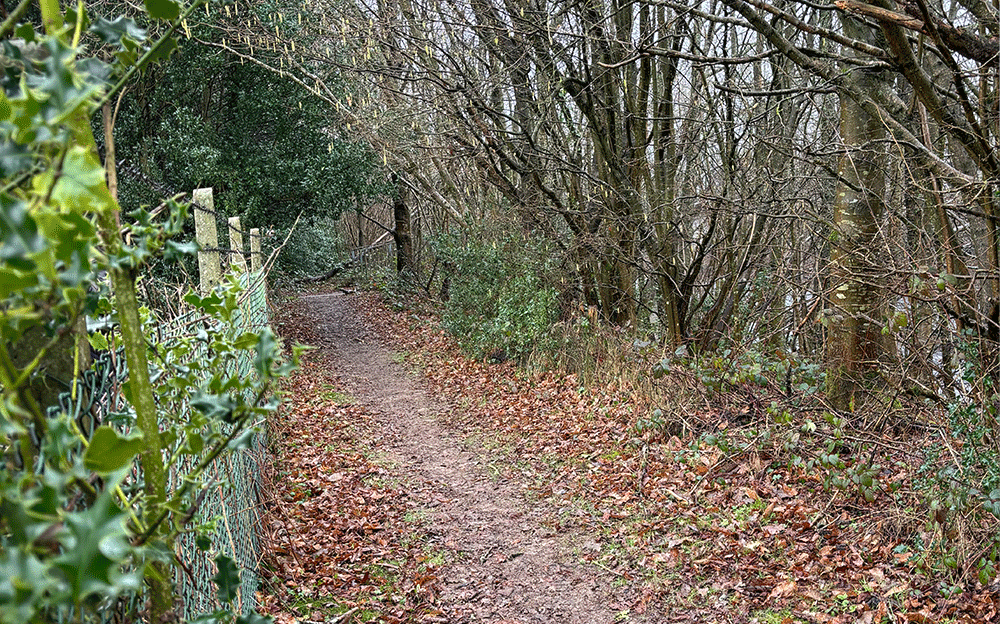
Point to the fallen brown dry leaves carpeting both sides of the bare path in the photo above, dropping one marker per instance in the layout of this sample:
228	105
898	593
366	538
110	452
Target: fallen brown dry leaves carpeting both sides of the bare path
551	416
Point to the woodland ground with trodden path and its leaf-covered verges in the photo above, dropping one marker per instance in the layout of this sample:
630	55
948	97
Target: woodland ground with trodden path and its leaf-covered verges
450	491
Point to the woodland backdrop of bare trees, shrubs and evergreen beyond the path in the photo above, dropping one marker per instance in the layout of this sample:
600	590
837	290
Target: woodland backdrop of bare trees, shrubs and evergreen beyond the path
795	202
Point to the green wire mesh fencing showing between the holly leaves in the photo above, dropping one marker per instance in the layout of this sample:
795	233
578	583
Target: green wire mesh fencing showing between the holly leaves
231	499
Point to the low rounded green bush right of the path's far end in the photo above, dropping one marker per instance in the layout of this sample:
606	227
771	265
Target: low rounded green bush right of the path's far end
500	303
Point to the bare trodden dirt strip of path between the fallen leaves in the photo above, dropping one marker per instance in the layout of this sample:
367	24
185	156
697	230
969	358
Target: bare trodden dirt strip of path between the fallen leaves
505	564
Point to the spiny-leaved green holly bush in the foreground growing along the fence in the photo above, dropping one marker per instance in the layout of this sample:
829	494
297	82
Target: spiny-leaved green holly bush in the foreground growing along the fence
87	518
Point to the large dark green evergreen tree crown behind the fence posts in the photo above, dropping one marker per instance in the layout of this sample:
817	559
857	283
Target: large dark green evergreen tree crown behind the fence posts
268	148
